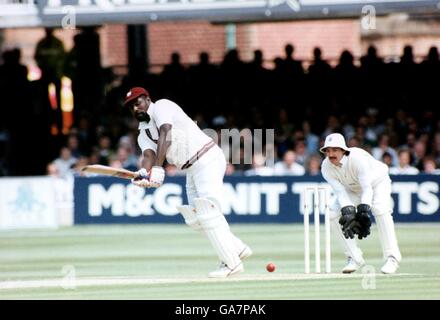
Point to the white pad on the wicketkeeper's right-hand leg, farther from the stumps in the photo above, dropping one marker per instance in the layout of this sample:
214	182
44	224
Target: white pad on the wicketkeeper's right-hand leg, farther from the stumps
387	236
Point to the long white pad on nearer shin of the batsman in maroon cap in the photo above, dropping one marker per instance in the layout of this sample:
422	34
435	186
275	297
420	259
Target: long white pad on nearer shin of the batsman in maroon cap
217	229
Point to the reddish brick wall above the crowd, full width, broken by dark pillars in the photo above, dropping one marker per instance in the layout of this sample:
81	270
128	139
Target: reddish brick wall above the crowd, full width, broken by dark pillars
190	38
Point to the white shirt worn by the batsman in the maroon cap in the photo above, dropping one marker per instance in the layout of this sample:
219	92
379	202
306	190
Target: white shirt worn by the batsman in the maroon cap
186	137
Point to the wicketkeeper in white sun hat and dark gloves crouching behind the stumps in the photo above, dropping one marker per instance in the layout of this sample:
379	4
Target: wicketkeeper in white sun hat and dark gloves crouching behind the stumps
361	185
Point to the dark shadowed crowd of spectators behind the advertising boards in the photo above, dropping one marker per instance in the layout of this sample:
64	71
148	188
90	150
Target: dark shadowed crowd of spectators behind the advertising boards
388	108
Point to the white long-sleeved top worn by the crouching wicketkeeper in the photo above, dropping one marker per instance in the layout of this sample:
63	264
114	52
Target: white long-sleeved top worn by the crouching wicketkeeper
359	173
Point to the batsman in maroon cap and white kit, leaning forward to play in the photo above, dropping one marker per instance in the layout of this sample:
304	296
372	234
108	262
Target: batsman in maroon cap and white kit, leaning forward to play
167	133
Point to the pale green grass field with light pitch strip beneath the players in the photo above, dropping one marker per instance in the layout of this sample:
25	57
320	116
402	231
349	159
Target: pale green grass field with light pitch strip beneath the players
172	261
